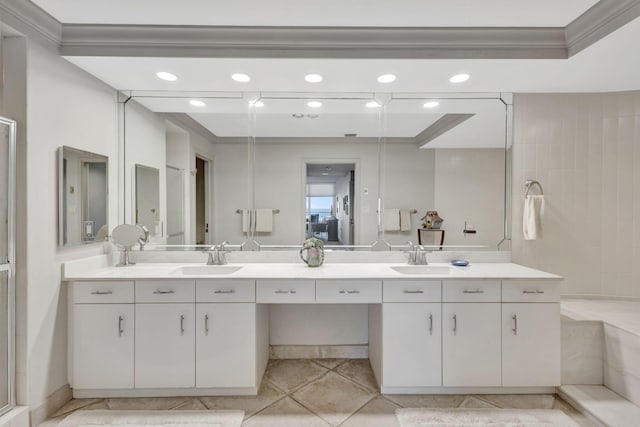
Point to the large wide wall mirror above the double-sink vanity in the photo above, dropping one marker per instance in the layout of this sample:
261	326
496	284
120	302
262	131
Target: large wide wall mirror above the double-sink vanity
351	169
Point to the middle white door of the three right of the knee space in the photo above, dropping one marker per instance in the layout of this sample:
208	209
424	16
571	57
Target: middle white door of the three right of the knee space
471	347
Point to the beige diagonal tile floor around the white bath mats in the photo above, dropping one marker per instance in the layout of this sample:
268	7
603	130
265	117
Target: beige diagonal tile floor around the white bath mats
322	392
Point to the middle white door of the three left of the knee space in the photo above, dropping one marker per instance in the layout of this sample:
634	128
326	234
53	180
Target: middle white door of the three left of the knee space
165	345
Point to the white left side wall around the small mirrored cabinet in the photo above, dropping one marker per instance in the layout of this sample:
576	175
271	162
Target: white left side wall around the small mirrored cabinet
65	106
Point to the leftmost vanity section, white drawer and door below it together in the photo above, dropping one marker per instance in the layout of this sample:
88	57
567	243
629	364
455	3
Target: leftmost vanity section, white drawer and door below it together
102	352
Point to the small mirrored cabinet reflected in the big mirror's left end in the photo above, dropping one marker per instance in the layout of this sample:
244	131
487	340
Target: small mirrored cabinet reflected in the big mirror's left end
148	199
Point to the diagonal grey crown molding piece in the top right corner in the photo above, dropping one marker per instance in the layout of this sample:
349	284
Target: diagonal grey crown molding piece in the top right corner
600	20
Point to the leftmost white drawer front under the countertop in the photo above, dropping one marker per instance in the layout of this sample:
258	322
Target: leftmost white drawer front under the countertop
103	292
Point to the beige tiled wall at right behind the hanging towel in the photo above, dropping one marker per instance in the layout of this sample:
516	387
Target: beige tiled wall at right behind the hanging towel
585	151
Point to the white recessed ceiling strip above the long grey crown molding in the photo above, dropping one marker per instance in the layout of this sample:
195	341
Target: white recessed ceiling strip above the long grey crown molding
373	13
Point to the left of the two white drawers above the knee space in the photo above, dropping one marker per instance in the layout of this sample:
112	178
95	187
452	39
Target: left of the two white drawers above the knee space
279	291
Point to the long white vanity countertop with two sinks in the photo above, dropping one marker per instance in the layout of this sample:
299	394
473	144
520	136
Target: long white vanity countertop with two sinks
302	271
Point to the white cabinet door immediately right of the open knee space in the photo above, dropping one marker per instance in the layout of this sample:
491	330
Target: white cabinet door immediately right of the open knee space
412	345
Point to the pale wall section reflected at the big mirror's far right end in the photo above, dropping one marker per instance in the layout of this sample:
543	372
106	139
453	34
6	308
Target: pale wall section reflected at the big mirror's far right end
469	186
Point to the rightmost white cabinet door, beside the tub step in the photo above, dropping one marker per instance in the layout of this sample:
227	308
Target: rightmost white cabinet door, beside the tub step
530	344
